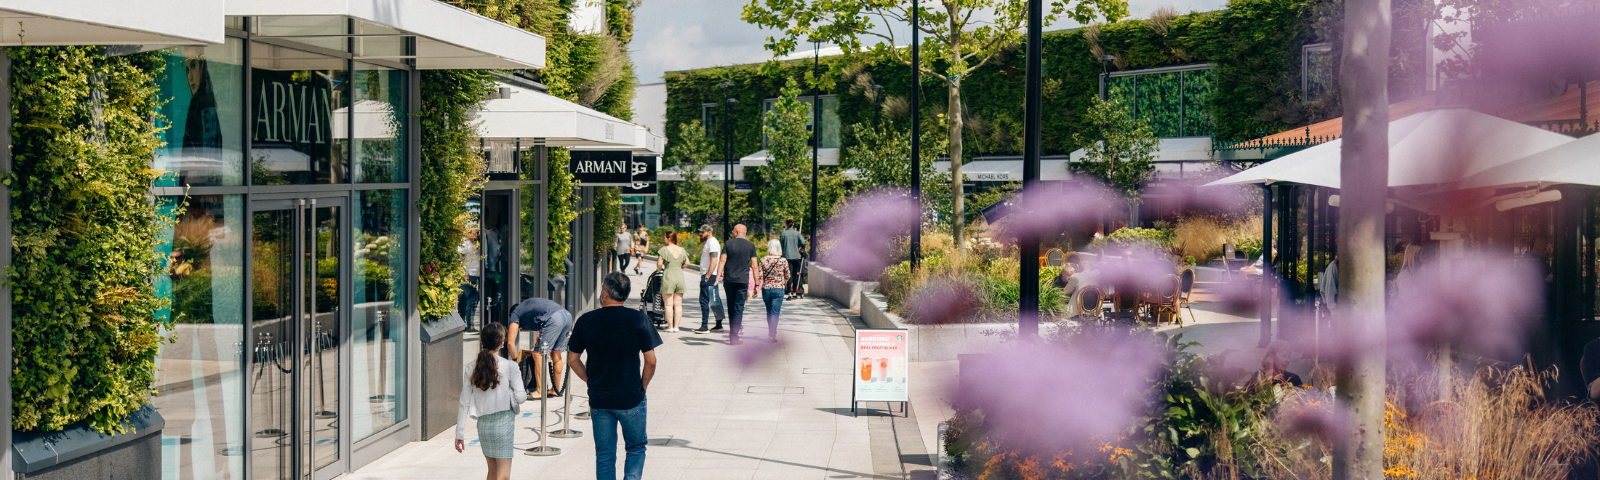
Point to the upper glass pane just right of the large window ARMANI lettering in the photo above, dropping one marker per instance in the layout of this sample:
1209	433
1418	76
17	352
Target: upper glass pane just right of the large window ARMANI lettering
380	114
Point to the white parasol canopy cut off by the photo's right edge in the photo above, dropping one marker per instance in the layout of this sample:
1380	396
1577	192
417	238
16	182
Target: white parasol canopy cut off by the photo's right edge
1577	162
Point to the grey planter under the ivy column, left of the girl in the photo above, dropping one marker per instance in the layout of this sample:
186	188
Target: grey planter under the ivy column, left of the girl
442	356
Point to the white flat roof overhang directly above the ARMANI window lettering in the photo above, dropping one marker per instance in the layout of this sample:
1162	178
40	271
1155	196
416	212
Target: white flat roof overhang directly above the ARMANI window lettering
447	38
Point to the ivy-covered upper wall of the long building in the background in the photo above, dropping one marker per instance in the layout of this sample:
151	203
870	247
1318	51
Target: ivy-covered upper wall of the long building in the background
1255	47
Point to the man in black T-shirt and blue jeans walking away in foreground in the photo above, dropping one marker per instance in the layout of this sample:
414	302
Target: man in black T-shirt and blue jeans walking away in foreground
615	338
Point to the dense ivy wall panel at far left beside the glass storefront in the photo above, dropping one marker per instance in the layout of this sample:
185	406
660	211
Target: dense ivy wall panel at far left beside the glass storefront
86	311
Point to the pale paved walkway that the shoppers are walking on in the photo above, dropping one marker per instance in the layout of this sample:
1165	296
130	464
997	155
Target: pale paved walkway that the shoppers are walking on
783	415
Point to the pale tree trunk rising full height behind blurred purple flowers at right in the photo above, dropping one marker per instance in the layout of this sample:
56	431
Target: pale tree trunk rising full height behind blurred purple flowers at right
1364	175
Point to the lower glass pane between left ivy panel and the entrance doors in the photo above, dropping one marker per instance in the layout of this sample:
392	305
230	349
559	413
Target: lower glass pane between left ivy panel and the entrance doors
201	385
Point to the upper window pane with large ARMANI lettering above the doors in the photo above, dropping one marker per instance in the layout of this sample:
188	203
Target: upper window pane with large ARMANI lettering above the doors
295	97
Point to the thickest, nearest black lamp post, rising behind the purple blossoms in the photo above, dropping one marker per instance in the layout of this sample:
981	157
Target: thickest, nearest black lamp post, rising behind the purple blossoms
1028	305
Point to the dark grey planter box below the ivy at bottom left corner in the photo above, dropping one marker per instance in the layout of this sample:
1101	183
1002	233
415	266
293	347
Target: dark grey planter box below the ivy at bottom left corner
81	452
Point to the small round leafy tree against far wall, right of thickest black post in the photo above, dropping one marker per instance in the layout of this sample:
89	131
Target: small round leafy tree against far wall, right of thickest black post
1121	146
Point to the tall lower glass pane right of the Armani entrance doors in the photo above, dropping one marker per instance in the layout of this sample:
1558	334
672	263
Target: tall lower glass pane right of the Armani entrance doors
378	378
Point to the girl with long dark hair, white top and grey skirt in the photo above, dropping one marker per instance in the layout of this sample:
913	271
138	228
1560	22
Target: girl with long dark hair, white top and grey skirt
492	393
